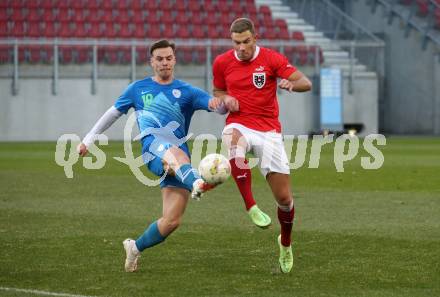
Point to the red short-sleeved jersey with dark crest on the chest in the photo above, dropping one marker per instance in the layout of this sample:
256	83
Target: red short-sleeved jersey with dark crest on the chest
253	83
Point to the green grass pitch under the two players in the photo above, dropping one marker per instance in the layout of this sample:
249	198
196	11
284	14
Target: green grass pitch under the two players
356	233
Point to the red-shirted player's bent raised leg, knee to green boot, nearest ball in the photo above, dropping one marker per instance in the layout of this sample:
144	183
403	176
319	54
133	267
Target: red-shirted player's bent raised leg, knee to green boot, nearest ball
240	171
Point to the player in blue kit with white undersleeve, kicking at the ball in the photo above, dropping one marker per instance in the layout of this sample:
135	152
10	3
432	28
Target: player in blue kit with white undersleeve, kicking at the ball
164	107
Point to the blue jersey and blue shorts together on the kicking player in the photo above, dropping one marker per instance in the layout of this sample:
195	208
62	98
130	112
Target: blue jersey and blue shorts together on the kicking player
163	114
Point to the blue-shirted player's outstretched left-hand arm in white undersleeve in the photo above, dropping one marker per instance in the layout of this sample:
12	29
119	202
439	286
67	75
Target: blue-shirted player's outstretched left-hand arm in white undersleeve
107	119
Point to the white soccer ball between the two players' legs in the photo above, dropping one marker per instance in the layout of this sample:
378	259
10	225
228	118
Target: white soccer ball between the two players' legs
214	169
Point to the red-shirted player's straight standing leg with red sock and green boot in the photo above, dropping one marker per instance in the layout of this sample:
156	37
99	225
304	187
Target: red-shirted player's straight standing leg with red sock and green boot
280	185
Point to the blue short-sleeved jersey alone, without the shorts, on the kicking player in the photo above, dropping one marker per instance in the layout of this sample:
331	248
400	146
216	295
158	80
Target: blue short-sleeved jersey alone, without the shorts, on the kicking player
160	106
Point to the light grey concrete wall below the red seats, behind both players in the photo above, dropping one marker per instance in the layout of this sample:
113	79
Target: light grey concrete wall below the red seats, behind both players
36	114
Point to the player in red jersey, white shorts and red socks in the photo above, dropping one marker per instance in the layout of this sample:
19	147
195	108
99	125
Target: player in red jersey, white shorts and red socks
249	74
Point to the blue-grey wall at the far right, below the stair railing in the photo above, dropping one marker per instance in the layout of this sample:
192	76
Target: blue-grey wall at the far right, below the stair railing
412	86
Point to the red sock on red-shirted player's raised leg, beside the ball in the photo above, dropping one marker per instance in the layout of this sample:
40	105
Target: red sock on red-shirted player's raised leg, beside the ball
242	175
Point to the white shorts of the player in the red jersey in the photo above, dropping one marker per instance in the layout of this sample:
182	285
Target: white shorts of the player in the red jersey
267	147
